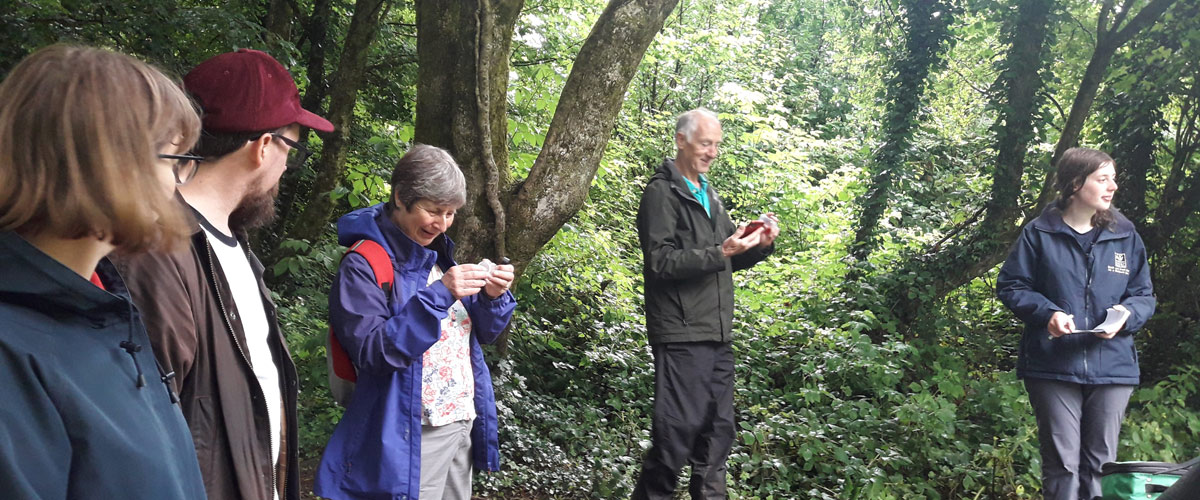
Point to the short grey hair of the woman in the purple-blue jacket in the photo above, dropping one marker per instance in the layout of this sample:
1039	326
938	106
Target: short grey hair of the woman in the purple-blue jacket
428	173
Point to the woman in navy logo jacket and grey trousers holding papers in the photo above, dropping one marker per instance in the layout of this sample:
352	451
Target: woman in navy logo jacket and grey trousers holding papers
1066	270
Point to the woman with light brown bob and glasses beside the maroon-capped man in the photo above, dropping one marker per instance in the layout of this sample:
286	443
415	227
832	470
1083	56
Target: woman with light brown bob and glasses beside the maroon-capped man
92	147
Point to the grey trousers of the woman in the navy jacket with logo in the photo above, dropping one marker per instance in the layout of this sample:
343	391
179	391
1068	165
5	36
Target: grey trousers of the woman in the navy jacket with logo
1078	430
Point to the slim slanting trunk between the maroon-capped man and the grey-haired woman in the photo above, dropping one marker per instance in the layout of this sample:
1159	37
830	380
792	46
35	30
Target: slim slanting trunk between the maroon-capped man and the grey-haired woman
344	94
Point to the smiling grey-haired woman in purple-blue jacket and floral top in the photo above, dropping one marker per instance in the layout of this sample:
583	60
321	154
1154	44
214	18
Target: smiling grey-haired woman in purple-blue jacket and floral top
423	413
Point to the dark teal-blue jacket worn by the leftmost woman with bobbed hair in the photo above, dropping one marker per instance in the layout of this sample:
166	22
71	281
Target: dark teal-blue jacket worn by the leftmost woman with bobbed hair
83	411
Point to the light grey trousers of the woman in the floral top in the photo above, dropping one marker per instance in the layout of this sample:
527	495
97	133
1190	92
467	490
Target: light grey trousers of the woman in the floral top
446	461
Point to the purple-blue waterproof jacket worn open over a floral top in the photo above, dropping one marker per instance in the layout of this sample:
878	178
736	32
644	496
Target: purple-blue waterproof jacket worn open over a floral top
376	449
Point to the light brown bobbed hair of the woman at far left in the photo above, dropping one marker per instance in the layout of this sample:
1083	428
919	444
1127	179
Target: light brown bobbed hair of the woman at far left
80	135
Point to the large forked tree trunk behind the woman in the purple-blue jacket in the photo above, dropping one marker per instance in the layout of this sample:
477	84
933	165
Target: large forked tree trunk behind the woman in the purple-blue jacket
452	92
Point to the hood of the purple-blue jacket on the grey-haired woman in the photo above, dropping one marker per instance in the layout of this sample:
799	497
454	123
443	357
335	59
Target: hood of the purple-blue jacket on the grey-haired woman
373	224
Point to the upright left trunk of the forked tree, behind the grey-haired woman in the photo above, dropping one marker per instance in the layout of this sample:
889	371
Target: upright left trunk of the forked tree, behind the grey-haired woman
463	51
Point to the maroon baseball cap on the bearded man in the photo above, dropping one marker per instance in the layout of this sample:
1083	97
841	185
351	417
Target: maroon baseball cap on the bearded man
249	92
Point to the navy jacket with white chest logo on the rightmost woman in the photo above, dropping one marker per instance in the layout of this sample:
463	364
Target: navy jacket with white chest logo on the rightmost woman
1049	270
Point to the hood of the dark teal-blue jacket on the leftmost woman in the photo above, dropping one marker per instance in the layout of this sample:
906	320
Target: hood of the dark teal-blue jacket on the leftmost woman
34	280
